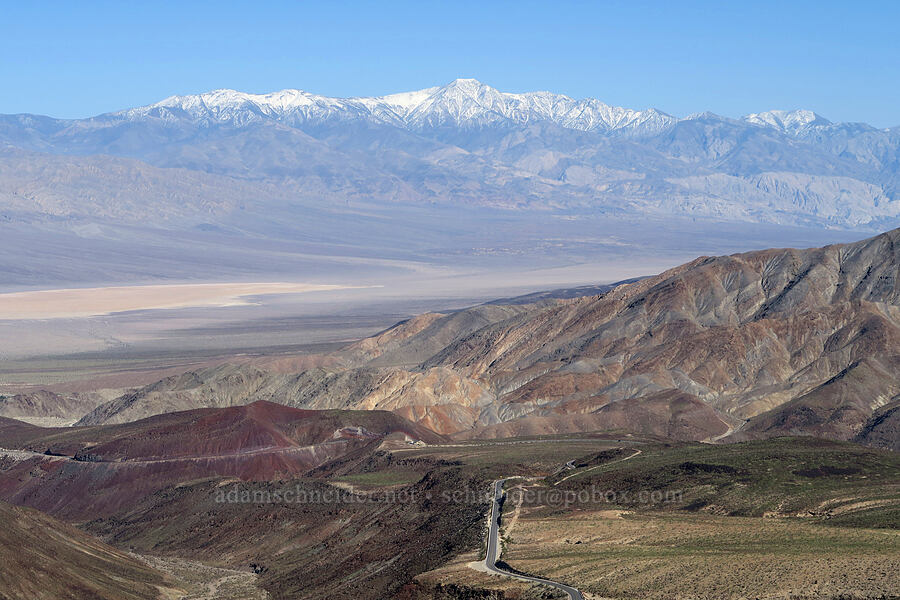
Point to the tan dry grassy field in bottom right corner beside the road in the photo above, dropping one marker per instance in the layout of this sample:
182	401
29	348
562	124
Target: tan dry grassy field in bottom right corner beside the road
667	555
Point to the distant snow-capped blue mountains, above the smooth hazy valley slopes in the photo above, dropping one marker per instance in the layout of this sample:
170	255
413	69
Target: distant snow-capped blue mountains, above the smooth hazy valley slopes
468	144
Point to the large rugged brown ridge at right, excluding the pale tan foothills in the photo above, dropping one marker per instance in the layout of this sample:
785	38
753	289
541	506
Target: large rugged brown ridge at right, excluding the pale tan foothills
744	333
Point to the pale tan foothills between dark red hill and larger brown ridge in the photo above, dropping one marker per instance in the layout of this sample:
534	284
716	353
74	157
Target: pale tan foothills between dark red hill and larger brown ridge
378	372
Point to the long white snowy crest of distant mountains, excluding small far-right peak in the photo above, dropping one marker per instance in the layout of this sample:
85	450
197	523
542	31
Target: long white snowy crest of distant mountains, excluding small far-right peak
462	103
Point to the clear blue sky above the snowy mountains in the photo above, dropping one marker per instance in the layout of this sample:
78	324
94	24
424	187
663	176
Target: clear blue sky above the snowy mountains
841	59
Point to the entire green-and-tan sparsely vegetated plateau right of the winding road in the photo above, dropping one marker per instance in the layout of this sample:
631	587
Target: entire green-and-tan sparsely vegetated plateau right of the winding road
788	517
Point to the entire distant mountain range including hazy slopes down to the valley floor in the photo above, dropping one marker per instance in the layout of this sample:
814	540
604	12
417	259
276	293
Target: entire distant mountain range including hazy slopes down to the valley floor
428	176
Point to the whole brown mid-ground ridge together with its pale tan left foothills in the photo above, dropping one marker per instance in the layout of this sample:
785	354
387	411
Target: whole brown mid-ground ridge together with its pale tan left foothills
776	341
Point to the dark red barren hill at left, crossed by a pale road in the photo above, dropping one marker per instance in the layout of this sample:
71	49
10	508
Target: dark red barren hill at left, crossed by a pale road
84	472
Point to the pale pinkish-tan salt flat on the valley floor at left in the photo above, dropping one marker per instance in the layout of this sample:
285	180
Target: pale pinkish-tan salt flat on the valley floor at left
88	302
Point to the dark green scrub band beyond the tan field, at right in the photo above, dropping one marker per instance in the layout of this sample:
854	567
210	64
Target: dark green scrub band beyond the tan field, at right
806	477
